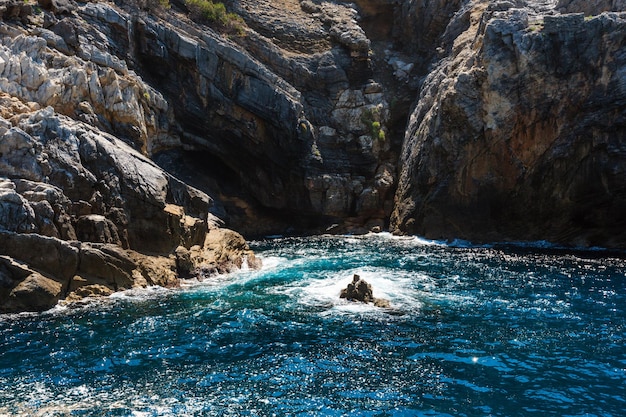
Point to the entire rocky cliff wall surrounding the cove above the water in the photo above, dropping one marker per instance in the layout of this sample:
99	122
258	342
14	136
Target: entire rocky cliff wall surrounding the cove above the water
132	133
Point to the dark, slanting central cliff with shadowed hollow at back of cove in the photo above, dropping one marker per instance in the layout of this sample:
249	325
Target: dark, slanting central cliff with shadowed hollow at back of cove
291	110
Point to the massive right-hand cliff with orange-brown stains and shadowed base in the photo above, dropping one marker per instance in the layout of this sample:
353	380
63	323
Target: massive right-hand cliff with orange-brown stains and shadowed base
519	133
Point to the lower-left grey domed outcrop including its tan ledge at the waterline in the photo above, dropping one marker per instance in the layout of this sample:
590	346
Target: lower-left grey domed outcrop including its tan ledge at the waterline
79	210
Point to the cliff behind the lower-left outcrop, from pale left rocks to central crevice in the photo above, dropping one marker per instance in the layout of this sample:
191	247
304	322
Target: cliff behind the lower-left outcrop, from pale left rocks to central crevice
294	102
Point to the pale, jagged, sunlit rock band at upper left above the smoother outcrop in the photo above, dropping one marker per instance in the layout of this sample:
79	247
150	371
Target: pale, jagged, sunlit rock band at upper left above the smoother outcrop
50	67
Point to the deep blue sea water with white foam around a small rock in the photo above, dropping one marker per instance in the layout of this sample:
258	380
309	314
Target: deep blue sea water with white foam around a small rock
473	331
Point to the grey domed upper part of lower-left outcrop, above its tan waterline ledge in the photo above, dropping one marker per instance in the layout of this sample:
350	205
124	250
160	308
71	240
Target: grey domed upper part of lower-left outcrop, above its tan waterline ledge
111	193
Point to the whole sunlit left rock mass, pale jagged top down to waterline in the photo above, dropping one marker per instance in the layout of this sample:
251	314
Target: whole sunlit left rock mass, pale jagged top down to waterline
83	211
